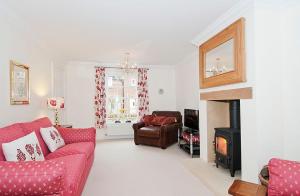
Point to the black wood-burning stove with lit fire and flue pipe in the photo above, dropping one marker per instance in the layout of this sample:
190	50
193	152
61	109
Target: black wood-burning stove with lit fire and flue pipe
228	141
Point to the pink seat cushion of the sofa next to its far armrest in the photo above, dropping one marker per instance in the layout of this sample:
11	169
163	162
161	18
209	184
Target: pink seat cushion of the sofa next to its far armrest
86	148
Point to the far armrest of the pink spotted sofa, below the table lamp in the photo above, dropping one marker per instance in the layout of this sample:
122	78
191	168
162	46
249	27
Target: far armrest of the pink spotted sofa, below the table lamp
75	135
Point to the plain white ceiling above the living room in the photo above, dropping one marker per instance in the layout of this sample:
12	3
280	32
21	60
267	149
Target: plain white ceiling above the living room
153	31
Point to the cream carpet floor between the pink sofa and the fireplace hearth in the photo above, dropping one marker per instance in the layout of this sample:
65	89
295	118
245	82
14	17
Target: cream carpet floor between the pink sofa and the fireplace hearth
124	169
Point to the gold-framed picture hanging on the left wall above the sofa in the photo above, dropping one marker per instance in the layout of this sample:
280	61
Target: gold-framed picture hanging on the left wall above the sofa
19	83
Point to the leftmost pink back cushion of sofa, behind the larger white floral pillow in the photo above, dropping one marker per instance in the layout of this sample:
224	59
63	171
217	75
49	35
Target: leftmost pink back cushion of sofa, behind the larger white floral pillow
8	134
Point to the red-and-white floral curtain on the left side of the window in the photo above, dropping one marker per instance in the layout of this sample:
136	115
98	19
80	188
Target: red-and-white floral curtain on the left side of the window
100	98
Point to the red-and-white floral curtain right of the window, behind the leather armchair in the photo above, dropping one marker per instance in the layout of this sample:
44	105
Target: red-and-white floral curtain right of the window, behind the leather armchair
143	96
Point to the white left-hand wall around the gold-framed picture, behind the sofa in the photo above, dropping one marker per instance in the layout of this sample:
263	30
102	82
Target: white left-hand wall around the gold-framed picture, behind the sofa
19	44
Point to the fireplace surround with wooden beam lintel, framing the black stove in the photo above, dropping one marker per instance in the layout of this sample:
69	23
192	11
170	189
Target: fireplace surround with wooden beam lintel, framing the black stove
214	105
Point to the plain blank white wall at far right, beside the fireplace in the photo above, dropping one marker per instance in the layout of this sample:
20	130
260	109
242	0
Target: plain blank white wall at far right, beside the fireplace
276	79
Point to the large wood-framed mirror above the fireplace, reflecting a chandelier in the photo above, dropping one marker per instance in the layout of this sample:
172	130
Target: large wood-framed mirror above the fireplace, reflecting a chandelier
222	58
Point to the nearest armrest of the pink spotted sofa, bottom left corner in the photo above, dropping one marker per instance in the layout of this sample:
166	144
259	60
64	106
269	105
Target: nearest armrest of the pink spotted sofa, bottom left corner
32	177
